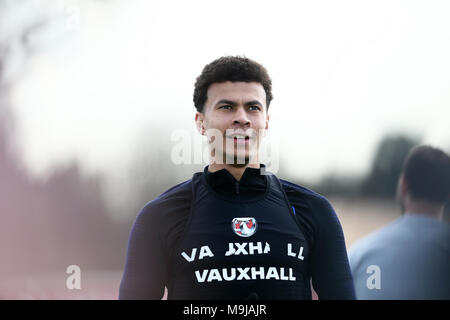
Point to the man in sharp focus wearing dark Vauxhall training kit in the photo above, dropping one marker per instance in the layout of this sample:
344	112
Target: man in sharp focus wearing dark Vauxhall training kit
233	231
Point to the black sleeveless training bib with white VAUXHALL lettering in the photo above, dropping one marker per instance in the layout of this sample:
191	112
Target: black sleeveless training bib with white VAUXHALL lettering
240	249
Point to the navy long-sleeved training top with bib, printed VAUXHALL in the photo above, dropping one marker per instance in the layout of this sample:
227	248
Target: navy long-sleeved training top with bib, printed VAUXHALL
213	237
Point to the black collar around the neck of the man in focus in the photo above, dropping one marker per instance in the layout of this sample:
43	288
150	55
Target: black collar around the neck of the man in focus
252	183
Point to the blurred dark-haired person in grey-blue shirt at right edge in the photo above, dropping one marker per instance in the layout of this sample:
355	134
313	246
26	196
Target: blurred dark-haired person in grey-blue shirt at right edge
410	258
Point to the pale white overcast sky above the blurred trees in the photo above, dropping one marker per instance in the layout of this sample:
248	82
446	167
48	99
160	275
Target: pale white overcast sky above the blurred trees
345	73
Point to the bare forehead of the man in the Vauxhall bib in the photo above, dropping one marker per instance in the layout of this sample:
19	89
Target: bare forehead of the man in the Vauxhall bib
236	91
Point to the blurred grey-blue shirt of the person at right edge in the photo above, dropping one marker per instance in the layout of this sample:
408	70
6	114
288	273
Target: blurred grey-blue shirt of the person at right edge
407	259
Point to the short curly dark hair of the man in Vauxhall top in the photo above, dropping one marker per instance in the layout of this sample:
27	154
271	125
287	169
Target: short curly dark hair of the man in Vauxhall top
231	68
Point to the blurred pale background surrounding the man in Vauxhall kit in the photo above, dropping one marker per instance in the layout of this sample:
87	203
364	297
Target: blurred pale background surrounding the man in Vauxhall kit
92	91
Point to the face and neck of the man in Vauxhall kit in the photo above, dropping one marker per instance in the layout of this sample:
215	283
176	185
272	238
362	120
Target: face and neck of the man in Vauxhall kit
235	115
